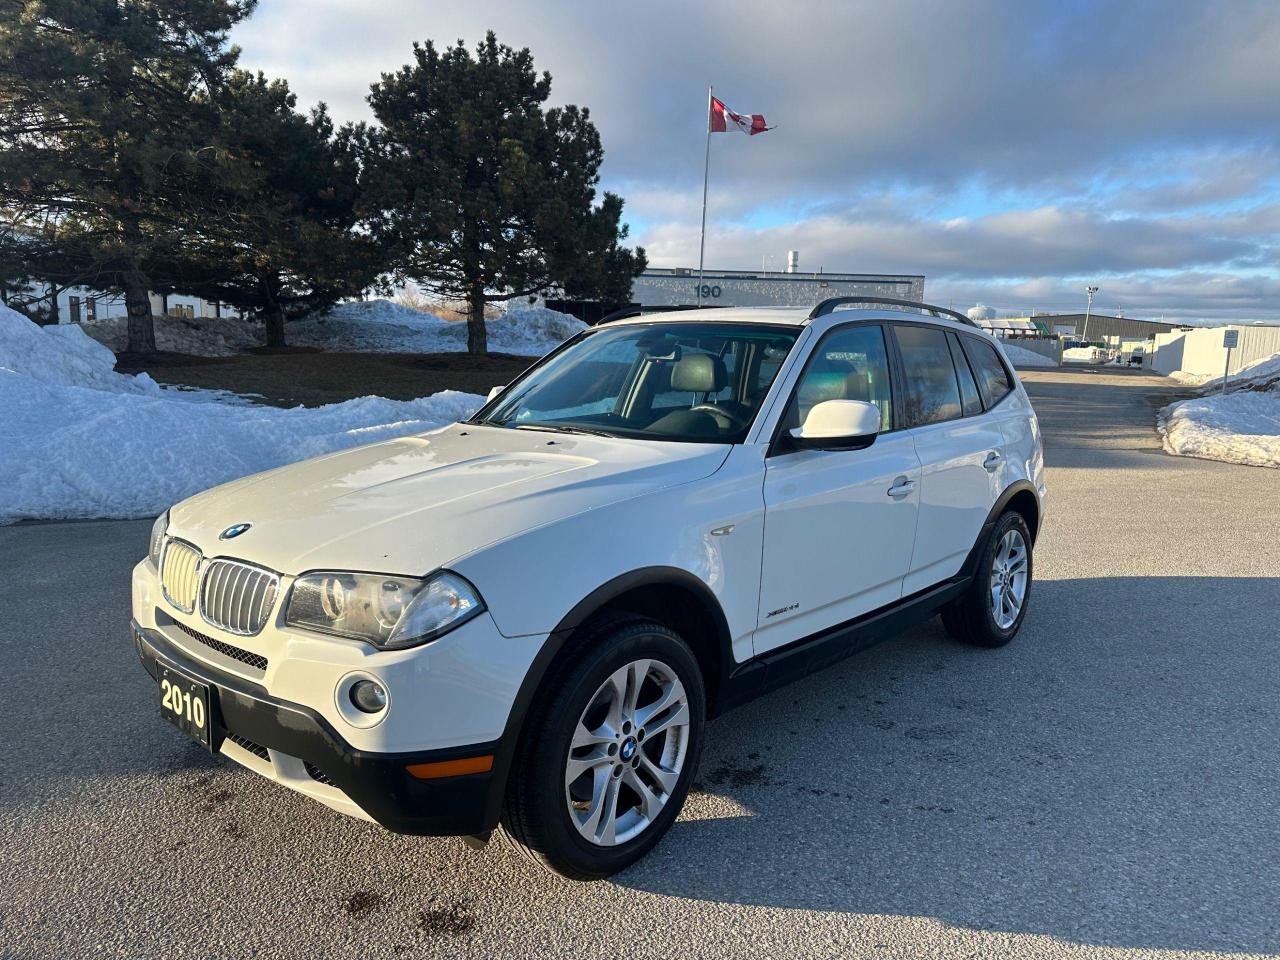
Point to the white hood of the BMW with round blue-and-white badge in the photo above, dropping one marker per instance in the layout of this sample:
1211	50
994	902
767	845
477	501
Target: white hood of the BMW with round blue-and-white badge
420	502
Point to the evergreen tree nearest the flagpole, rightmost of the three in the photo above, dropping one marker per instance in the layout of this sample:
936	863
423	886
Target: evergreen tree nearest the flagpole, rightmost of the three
483	193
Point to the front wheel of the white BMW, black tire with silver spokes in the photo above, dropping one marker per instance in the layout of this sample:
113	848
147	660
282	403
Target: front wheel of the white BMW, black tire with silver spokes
607	760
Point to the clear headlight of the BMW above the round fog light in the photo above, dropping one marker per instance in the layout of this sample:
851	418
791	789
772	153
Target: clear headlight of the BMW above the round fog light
387	611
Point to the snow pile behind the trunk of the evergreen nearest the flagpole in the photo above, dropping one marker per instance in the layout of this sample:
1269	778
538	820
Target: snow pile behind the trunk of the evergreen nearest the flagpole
383	327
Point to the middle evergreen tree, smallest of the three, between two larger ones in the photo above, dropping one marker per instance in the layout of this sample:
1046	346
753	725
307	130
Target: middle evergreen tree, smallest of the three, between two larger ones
284	241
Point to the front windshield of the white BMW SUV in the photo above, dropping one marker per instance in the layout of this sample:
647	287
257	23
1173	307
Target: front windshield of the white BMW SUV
692	382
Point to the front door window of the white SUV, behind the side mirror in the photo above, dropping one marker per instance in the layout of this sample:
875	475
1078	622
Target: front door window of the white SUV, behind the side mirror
849	364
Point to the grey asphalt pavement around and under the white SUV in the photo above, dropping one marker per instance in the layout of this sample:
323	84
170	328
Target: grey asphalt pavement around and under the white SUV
1105	787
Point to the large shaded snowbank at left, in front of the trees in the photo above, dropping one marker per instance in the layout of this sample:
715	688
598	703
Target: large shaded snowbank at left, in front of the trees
77	440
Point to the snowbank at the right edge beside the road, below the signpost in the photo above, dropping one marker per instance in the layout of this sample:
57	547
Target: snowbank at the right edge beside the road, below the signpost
1240	427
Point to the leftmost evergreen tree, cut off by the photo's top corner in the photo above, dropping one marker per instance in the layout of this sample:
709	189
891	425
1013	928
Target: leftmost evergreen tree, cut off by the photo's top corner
100	125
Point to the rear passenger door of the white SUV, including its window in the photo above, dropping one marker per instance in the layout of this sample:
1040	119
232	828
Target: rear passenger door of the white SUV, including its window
961	450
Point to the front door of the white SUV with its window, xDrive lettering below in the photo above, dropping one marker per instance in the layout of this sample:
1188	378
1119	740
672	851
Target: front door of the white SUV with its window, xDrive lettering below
839	525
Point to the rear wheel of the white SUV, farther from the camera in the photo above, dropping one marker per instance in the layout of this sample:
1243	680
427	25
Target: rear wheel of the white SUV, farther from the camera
993	607
